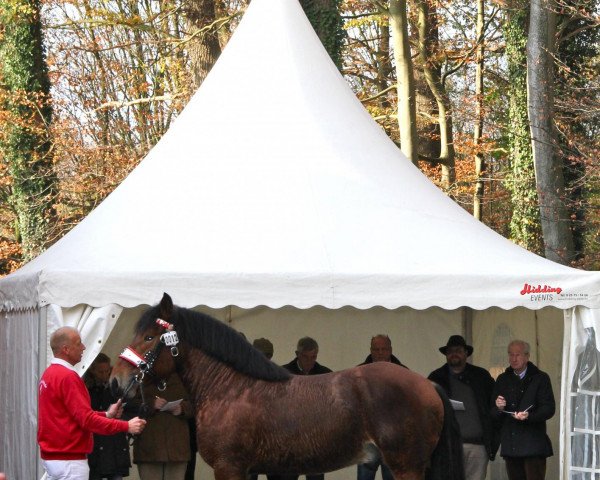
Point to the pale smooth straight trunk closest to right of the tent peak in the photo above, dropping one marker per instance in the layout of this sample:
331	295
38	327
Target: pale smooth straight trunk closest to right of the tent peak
404	73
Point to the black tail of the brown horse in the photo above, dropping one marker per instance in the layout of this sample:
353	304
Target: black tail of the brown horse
447	458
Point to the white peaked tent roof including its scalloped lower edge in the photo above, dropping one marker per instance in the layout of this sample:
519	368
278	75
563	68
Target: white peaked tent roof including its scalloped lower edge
275	187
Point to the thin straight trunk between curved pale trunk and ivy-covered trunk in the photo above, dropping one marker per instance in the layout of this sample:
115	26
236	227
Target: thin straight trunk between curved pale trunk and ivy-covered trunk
478	129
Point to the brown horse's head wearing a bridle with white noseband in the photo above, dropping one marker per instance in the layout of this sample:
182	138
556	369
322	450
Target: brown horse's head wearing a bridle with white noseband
150	355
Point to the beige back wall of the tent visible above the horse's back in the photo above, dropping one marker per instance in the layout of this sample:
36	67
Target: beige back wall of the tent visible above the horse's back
344	335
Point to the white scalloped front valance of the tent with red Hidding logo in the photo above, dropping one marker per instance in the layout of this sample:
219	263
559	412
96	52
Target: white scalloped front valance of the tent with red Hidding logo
444	289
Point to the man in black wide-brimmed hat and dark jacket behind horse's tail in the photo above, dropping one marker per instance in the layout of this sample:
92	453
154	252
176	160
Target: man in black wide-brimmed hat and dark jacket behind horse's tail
471	387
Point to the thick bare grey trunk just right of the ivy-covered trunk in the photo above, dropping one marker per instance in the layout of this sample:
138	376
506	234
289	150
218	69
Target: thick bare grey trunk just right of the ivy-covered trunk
558	238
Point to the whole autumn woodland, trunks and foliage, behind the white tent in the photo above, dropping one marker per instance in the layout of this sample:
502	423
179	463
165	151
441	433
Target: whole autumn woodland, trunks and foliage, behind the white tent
496	101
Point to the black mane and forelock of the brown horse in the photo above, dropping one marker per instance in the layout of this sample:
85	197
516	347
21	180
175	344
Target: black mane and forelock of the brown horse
217	340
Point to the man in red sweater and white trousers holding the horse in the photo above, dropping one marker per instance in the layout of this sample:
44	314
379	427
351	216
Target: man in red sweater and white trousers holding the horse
66	421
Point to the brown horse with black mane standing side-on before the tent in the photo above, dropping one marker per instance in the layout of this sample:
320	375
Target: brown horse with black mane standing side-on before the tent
253	416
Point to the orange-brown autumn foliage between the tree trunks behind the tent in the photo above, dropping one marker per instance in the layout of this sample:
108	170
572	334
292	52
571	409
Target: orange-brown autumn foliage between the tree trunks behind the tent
120	73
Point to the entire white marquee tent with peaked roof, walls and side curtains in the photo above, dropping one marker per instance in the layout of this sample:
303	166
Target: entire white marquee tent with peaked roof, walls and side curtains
278	204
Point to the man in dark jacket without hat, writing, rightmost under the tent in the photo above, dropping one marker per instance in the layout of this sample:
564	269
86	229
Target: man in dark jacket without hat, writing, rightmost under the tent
524	401
